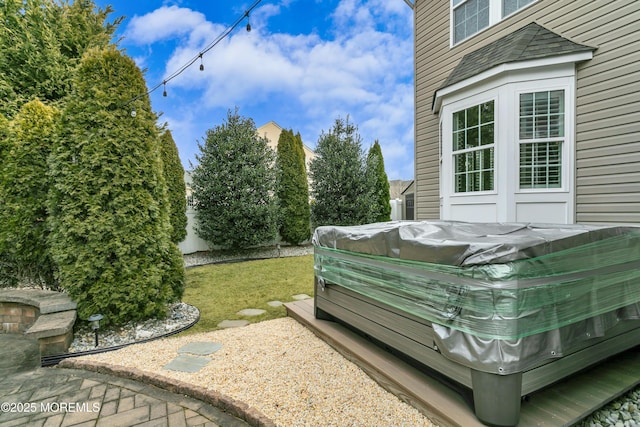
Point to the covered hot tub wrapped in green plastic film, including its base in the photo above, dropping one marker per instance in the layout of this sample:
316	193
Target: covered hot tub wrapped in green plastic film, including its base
503	309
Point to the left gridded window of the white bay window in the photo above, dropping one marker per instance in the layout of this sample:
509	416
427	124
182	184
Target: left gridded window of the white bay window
473	148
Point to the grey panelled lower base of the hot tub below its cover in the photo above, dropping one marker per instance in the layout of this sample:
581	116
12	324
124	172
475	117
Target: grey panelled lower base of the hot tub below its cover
496	398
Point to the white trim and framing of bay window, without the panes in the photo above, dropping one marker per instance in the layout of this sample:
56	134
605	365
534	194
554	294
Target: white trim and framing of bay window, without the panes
504	85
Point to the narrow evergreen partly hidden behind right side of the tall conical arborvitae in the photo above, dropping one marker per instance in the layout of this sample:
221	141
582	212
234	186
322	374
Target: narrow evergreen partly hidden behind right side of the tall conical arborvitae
174	177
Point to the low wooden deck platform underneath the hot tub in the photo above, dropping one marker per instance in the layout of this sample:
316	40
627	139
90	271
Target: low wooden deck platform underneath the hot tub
560	405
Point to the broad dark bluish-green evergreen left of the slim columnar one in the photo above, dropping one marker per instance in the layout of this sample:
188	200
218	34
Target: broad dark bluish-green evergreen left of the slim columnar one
234	186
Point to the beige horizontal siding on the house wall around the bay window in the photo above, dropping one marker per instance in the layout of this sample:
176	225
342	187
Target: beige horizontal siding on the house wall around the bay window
607	99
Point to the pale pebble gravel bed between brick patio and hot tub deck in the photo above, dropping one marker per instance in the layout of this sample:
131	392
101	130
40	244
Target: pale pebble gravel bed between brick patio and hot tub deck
283	370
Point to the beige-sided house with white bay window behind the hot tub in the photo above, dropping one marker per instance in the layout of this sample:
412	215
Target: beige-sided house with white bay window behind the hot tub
527	110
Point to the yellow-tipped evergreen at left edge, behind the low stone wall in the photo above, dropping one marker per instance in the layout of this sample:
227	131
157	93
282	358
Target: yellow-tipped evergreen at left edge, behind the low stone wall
23	190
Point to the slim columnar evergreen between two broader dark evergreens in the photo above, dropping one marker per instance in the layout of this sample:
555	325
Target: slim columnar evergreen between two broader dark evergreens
293	190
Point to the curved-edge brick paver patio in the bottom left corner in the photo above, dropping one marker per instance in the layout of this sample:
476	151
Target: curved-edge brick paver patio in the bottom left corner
58	397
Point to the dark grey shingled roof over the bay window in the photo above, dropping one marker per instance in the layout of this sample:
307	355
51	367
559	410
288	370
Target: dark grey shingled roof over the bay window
529	42
